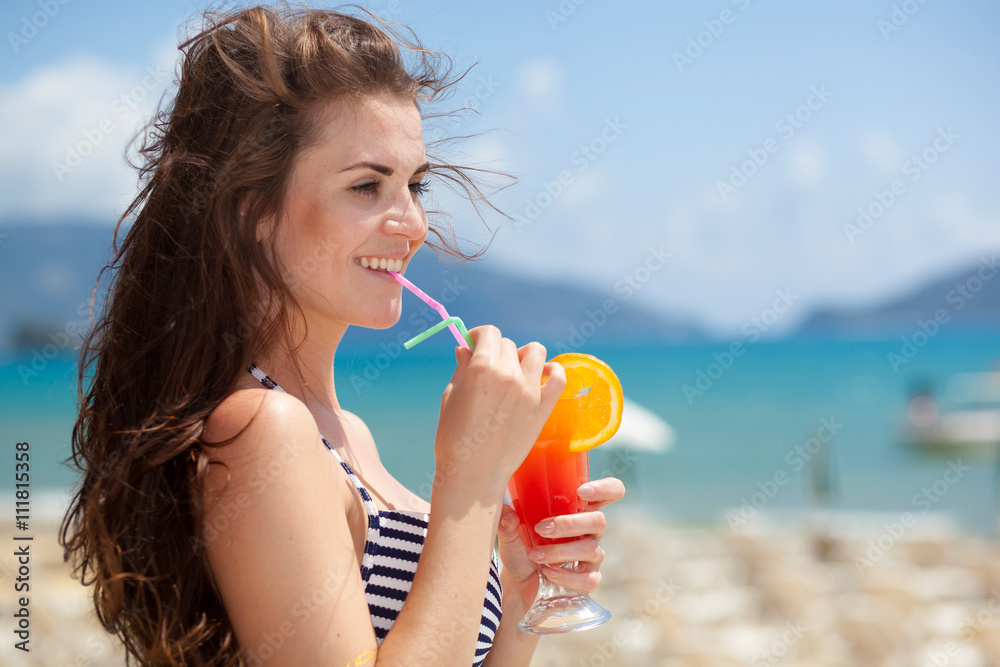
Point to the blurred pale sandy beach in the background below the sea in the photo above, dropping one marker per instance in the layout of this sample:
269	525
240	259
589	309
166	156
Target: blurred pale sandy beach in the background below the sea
812	590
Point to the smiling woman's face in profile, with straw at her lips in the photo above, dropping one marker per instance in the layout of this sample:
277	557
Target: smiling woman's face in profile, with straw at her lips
352	212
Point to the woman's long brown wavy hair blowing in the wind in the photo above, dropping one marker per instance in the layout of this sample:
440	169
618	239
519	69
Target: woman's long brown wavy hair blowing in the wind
193	298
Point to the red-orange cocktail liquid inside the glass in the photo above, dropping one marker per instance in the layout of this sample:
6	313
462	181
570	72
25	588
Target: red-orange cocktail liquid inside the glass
545	484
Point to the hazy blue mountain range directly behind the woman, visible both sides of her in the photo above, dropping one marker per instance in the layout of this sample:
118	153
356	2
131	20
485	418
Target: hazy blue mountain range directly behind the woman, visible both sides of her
48	272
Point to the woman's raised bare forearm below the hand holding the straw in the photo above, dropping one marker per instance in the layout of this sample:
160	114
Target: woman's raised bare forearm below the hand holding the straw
439	623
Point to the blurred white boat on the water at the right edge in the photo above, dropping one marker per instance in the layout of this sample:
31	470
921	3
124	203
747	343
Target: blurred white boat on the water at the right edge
967	417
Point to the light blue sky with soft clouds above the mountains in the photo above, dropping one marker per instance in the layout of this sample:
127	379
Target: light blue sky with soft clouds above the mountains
600	94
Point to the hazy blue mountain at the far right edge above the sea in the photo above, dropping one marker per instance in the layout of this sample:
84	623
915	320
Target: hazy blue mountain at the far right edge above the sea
968	299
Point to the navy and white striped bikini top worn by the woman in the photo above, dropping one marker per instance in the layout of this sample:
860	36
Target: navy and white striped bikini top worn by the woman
392	549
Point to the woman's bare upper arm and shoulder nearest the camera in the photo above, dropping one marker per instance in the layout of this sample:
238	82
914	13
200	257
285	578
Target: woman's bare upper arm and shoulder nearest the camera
277	534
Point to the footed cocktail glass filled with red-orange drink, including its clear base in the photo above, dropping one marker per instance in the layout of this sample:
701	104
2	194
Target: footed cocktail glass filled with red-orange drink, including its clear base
544	486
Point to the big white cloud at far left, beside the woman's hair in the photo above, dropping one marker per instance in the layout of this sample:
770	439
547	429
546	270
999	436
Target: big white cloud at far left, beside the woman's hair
68	126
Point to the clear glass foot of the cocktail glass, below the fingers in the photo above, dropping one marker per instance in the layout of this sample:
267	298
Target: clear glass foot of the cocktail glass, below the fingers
557	610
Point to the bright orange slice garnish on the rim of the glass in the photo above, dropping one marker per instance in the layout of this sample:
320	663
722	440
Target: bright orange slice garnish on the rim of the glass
599	396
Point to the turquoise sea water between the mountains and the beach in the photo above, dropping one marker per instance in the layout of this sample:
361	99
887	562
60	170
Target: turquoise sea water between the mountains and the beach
744	439
